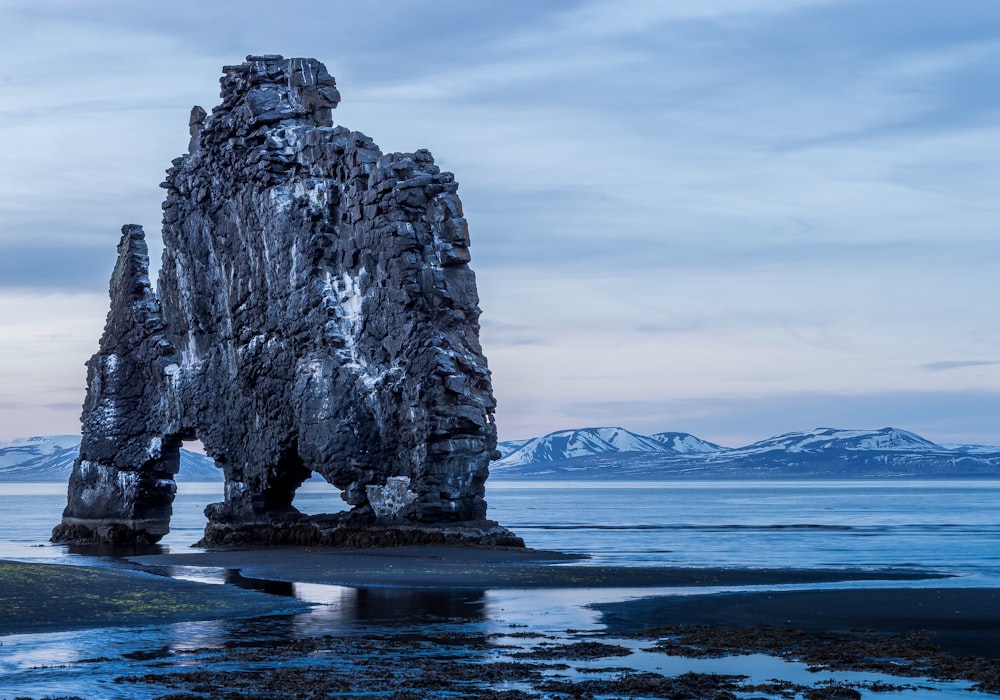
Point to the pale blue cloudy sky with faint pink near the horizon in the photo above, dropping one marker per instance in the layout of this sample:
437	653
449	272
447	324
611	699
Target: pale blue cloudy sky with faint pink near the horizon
734	218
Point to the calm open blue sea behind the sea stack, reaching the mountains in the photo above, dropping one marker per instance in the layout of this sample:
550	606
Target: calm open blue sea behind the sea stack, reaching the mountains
952	526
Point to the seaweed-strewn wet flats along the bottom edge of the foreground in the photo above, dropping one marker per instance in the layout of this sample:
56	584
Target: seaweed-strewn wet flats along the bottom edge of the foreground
450	661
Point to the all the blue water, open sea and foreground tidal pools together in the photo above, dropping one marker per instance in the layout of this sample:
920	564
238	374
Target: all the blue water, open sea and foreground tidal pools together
942	526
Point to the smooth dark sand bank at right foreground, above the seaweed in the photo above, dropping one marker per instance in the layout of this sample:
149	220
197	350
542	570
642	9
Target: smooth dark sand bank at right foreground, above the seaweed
943	633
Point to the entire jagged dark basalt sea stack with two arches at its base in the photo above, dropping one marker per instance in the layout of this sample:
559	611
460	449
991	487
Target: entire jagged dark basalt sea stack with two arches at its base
315	312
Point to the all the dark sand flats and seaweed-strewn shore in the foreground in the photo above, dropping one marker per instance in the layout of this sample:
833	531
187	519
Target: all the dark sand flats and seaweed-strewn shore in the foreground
938	632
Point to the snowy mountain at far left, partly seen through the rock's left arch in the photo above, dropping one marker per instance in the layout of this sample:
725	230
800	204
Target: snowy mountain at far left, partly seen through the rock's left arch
51	457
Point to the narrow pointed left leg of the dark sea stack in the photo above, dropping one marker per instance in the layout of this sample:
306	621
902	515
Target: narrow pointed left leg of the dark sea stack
122	486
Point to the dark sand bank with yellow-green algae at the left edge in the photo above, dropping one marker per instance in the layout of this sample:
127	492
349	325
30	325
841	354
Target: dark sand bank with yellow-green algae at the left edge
52	597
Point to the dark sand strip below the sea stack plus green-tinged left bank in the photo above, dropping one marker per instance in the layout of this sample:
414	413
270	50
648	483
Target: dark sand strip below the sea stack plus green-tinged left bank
50	597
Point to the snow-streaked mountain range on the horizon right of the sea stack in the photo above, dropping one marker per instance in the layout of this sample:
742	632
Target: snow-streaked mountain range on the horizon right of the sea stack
619	454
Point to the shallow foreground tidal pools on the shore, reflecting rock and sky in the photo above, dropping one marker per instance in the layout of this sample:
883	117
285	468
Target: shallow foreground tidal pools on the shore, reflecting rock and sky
92	663
